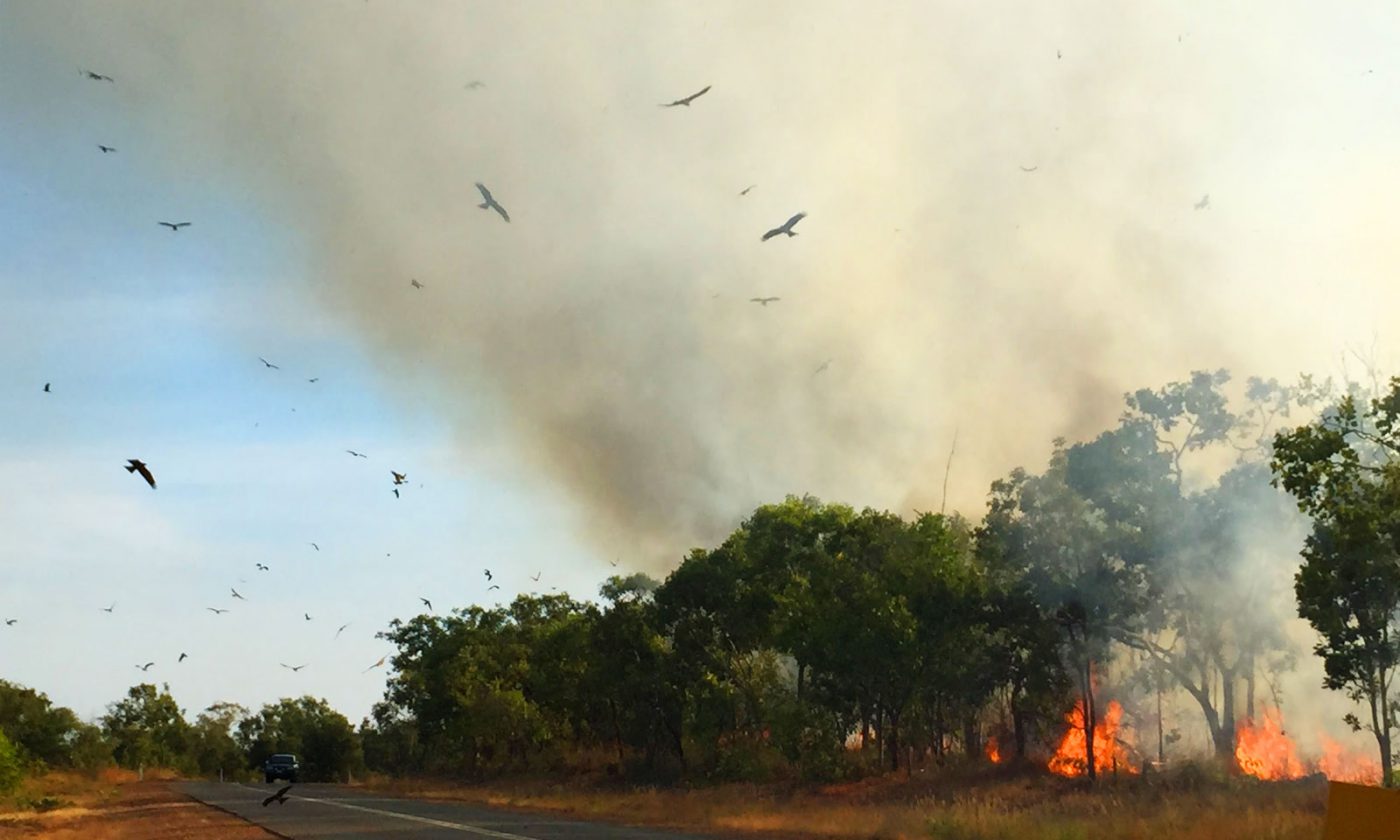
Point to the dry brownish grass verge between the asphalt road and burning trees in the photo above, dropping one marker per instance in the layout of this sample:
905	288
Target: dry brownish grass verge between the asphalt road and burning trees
954	806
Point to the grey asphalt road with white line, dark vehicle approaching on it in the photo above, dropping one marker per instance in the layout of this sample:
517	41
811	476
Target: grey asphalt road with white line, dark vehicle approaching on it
337	813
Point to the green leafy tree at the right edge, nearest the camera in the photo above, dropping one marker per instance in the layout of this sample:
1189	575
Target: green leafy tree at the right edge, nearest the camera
1345	471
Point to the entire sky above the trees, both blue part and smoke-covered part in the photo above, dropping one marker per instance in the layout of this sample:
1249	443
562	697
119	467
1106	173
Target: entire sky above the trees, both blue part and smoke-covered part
1003	239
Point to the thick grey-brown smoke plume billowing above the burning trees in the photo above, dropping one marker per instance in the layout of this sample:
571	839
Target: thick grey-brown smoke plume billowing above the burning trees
605	335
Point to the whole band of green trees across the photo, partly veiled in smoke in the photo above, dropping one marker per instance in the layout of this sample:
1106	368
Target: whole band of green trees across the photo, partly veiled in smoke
820	642
